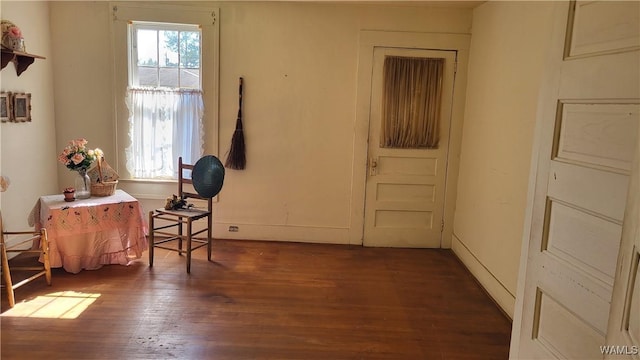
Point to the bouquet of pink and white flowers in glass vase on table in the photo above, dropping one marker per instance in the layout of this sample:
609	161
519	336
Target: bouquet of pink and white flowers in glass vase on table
77	157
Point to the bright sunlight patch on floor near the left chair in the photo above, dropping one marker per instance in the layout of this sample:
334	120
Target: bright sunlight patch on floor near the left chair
58	305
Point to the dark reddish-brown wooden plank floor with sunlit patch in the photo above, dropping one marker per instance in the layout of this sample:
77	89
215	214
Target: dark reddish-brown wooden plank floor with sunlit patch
261	300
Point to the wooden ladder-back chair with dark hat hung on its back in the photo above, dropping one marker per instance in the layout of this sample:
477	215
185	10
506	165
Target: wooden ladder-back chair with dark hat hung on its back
161	237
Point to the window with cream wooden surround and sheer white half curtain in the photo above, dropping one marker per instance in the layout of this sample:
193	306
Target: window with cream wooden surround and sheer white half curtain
156	63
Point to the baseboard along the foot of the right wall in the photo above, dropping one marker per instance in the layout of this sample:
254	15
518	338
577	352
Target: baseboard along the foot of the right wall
494	288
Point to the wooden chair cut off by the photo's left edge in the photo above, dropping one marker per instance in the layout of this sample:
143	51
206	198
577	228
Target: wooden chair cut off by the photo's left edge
23	245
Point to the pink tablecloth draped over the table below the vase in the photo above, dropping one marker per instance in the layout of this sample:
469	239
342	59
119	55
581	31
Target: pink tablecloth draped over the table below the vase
89	233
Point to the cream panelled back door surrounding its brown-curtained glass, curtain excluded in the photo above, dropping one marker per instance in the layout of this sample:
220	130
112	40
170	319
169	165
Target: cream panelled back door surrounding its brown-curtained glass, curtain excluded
405	188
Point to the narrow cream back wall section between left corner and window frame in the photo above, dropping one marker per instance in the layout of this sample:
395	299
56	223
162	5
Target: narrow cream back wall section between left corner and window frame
80	43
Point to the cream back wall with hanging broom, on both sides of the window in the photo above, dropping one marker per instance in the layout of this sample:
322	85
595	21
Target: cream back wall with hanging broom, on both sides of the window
299	62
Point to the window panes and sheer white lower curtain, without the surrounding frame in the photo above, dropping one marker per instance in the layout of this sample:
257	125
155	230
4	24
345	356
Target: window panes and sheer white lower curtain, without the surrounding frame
164	99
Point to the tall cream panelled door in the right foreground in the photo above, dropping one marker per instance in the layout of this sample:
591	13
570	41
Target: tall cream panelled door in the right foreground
588	132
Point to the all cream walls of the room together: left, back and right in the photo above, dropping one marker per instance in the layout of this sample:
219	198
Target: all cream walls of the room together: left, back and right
299	61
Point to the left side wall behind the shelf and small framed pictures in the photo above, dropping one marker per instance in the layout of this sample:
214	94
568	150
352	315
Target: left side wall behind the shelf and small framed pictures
28	150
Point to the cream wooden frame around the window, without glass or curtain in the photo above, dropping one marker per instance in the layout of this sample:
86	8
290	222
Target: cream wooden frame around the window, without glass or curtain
123	13
